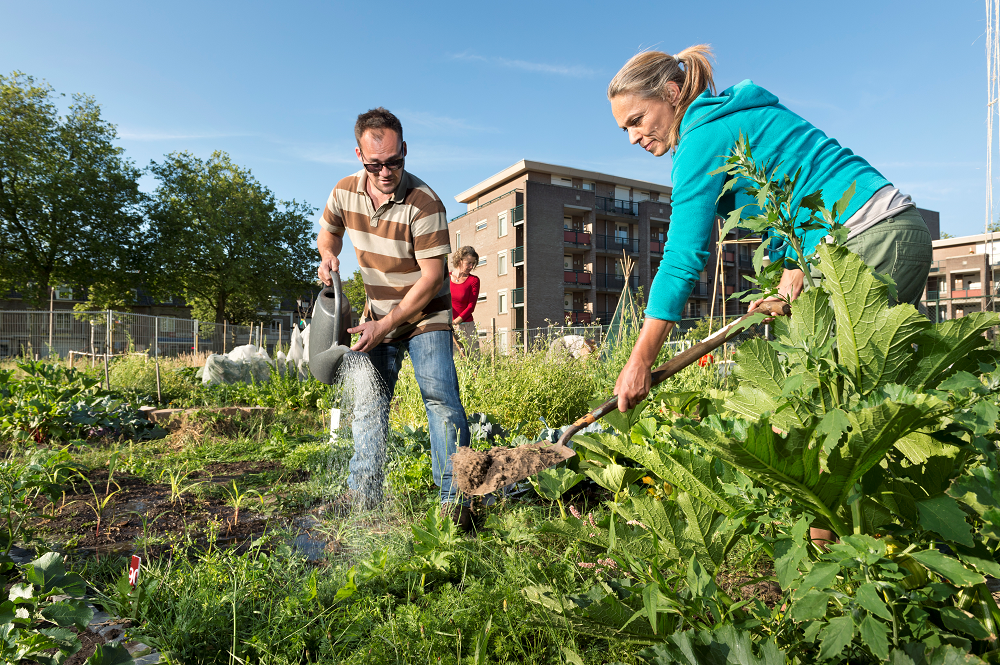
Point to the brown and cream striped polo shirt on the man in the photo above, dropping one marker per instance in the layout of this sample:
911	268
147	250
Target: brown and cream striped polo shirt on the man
411	225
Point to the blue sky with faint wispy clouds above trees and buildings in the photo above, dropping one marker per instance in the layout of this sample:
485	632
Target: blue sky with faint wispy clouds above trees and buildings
480	86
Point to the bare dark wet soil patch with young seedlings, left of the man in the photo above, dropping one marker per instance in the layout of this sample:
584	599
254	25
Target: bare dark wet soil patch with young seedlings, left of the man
142	516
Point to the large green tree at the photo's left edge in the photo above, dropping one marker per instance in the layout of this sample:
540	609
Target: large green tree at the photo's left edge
70	205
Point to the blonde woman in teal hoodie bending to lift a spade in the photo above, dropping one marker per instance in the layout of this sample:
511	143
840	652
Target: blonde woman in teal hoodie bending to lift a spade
668	102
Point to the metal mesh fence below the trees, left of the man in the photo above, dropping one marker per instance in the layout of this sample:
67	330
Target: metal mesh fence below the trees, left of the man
56	333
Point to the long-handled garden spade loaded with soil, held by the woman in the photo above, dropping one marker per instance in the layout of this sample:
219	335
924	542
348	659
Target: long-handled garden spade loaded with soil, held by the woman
483	471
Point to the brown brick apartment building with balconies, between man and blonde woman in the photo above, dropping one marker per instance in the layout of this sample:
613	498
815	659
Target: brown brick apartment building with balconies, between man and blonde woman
550	239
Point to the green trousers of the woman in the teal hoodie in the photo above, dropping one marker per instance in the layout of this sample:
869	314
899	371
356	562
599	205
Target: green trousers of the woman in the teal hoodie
900	247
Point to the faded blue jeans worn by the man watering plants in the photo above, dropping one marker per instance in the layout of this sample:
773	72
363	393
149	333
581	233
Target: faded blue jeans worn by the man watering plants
431	353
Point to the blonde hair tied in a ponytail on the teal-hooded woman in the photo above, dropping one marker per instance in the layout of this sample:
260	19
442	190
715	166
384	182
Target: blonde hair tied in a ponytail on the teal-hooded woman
647	74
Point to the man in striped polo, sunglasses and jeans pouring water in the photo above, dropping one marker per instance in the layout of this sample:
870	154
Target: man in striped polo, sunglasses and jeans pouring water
399	230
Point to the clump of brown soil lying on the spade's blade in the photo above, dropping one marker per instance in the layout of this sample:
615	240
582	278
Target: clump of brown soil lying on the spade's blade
481	472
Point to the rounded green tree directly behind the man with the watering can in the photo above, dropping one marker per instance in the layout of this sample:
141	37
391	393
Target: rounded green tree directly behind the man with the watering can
222	238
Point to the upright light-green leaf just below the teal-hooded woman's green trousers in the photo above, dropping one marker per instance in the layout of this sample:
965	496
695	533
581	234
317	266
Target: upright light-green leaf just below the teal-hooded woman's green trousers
874	341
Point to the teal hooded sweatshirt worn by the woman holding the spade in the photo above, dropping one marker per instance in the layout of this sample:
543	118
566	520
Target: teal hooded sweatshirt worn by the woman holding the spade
708	131
